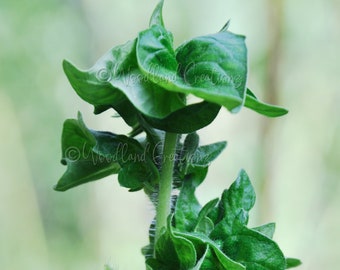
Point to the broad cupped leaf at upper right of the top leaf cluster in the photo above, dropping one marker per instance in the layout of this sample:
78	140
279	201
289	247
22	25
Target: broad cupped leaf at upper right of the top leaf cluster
216	67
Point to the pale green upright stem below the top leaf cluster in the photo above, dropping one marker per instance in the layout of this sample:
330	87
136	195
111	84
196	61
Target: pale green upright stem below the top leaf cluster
165	184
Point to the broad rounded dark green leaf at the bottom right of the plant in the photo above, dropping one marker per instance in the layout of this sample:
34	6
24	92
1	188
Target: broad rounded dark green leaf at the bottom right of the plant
254	250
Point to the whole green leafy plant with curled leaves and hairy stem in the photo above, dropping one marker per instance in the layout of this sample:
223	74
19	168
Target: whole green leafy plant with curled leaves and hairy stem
147	83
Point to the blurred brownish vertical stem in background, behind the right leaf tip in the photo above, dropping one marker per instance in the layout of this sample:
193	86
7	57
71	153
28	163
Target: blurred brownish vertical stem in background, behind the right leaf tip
275	13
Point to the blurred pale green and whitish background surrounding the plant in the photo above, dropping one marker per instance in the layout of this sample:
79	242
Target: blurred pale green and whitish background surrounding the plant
293	161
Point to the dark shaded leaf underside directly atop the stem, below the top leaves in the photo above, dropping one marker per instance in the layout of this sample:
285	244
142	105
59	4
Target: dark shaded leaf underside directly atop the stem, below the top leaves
188	119
